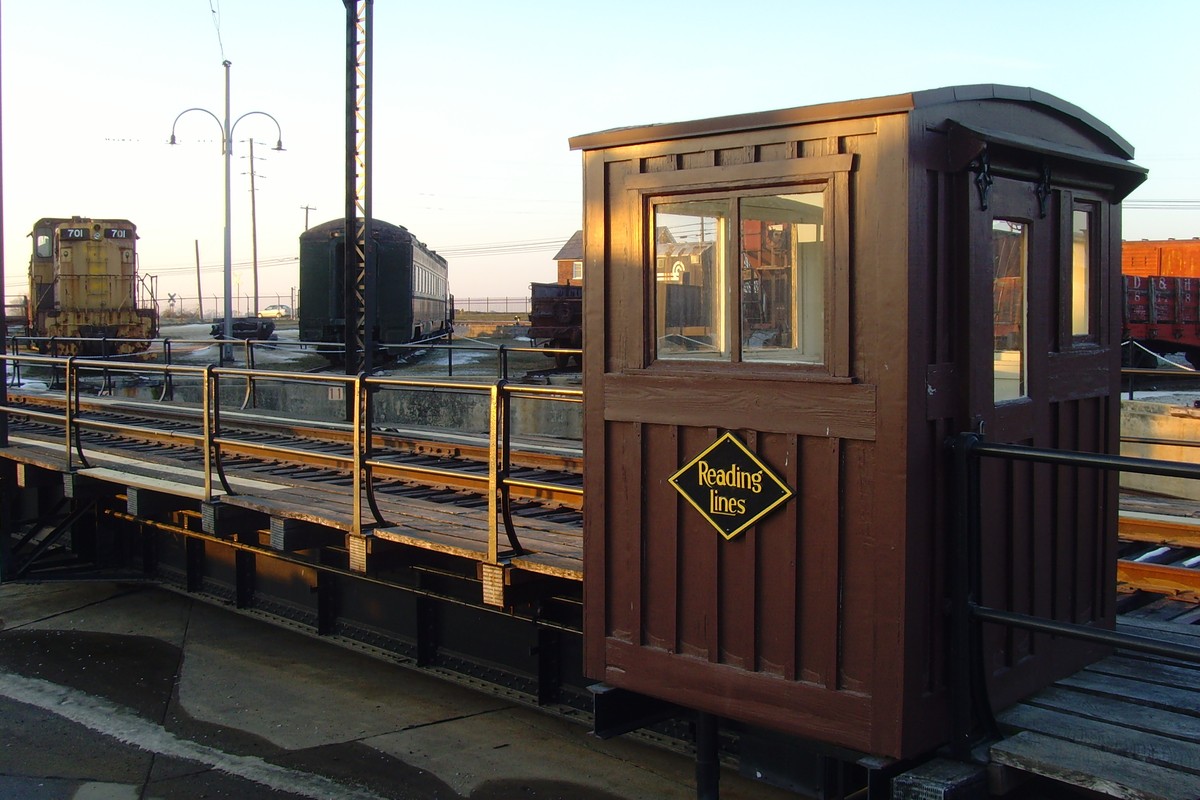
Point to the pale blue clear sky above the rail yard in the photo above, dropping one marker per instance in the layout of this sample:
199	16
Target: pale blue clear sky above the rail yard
475	103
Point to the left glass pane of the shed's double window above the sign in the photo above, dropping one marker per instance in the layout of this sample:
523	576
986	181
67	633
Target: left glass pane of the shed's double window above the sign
689	263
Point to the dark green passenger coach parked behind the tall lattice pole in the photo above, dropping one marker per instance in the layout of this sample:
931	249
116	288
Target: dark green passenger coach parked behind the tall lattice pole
412	300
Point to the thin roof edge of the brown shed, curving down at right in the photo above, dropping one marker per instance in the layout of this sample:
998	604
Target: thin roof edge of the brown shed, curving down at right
842	111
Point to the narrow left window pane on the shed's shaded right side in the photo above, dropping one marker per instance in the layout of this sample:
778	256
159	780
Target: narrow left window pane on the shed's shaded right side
1009	248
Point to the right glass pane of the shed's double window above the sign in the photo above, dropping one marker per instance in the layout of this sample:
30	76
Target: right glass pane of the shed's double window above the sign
783	278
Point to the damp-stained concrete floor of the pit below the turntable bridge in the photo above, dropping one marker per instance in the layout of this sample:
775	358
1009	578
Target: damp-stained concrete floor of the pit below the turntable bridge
123	691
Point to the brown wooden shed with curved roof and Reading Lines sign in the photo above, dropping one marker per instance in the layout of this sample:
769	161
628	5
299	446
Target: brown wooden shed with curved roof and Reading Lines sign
841	288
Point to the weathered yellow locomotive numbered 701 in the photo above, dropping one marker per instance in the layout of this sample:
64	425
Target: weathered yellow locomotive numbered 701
85	288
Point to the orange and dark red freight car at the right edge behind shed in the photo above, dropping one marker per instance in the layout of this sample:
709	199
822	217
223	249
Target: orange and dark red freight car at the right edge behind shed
1161	299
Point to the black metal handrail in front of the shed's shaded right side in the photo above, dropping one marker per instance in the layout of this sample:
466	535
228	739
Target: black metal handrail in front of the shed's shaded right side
968	684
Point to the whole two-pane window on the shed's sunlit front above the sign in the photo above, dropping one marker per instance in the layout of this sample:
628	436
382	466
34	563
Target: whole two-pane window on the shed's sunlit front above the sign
742	279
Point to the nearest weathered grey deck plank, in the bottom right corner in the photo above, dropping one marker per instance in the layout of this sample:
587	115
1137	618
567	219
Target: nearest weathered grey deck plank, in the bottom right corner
1108	774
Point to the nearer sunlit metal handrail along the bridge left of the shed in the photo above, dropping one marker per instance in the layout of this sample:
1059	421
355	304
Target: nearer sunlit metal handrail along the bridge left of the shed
361	461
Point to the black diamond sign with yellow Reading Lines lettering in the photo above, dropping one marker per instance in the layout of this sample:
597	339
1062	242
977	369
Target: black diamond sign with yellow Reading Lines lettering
730	488
